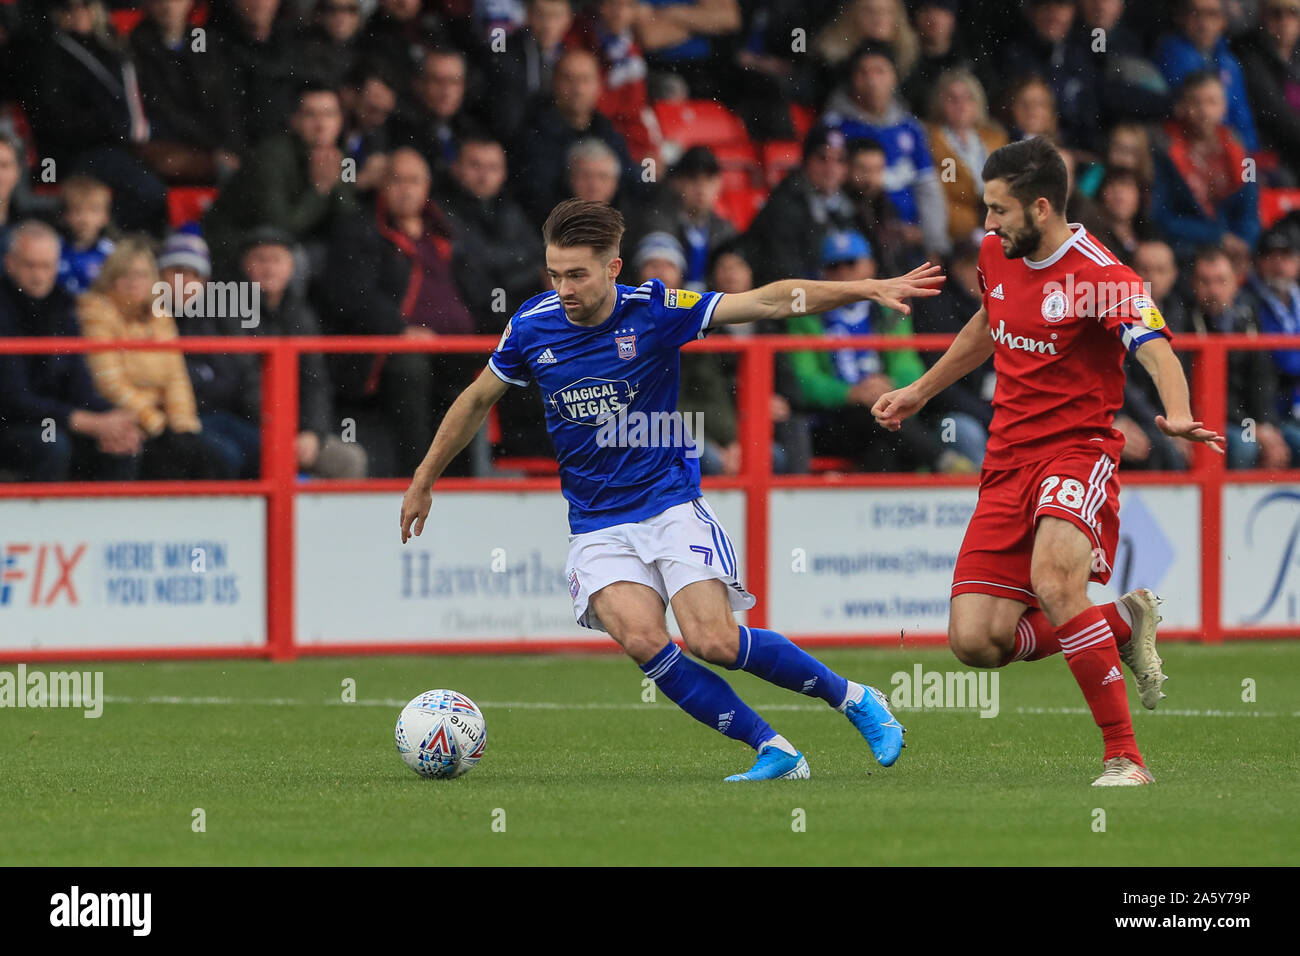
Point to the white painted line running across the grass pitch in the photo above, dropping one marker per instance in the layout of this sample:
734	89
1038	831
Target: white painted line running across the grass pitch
556	706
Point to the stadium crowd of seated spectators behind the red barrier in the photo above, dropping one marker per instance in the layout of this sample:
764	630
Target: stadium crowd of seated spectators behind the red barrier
383	167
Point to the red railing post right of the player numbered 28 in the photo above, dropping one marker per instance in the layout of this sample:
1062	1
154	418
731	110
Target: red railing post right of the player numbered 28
1211	405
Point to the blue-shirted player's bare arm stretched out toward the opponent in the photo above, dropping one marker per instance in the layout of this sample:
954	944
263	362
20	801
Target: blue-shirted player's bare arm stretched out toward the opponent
808	296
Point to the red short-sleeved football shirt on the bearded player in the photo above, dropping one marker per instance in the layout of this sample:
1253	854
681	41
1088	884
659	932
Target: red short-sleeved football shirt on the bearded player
1060	328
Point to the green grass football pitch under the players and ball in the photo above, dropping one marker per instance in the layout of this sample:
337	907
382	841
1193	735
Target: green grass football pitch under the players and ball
582	772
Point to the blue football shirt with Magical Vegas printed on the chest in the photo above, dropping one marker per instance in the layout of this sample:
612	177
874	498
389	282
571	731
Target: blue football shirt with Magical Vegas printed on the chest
612	471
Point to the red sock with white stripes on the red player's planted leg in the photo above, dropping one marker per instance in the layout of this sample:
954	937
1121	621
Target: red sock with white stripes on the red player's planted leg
1094	659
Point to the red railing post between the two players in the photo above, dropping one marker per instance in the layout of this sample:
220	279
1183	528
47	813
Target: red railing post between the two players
755	383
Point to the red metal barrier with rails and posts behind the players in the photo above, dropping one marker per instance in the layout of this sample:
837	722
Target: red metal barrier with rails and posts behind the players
280	485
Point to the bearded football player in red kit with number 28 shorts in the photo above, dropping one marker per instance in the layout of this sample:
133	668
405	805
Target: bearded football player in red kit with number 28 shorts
1059	314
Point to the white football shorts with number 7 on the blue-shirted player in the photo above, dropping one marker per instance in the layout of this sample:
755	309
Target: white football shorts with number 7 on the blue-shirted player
668	552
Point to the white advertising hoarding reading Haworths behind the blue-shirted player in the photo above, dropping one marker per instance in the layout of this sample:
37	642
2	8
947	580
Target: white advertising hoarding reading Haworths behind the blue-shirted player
489	566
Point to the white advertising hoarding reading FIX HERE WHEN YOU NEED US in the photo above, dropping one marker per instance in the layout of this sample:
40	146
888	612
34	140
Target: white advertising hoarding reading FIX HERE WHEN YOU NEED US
133	573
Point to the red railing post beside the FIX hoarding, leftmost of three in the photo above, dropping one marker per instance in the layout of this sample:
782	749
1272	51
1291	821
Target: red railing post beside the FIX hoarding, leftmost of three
280	468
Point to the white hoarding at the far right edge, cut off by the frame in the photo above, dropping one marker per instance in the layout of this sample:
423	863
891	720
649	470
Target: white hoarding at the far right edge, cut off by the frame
1262	559
